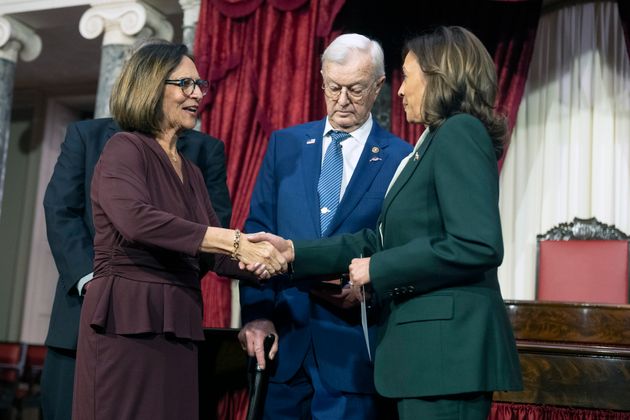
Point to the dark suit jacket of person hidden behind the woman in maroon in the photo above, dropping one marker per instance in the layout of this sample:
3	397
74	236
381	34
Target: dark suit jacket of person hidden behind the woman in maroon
68	211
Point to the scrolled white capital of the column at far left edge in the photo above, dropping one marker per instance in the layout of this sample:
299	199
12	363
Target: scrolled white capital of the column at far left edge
18	39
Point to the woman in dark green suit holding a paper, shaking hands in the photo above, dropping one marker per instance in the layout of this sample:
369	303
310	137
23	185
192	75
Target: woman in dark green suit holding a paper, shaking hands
446	342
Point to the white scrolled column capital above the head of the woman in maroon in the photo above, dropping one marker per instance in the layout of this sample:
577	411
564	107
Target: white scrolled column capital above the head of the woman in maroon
124	22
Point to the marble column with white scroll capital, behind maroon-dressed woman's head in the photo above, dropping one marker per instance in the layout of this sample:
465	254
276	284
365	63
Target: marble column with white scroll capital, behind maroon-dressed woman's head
123	24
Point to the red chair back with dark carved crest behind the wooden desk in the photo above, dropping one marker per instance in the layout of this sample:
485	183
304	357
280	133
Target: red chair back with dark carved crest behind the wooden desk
583	261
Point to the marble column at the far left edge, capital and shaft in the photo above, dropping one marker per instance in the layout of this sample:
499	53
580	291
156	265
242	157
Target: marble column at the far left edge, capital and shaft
16	40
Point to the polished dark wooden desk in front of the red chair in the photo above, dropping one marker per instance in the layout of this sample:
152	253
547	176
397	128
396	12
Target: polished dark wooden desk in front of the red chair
572	354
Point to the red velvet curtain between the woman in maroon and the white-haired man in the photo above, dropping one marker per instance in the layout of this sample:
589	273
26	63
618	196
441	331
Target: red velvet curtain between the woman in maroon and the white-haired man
262	59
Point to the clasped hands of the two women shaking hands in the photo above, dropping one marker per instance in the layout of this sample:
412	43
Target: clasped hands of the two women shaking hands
265	255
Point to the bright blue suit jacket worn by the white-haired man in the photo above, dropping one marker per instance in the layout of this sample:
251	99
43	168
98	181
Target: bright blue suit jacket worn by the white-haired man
285	202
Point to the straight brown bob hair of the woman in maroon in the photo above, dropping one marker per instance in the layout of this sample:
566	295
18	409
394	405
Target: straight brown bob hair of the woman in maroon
136	101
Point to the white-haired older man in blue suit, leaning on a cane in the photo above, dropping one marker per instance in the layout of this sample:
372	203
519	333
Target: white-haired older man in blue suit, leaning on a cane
322	368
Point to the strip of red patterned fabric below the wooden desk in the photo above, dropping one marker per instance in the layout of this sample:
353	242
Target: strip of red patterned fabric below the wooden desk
505	411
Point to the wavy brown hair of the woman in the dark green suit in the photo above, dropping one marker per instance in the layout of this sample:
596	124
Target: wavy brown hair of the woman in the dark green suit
461	78
